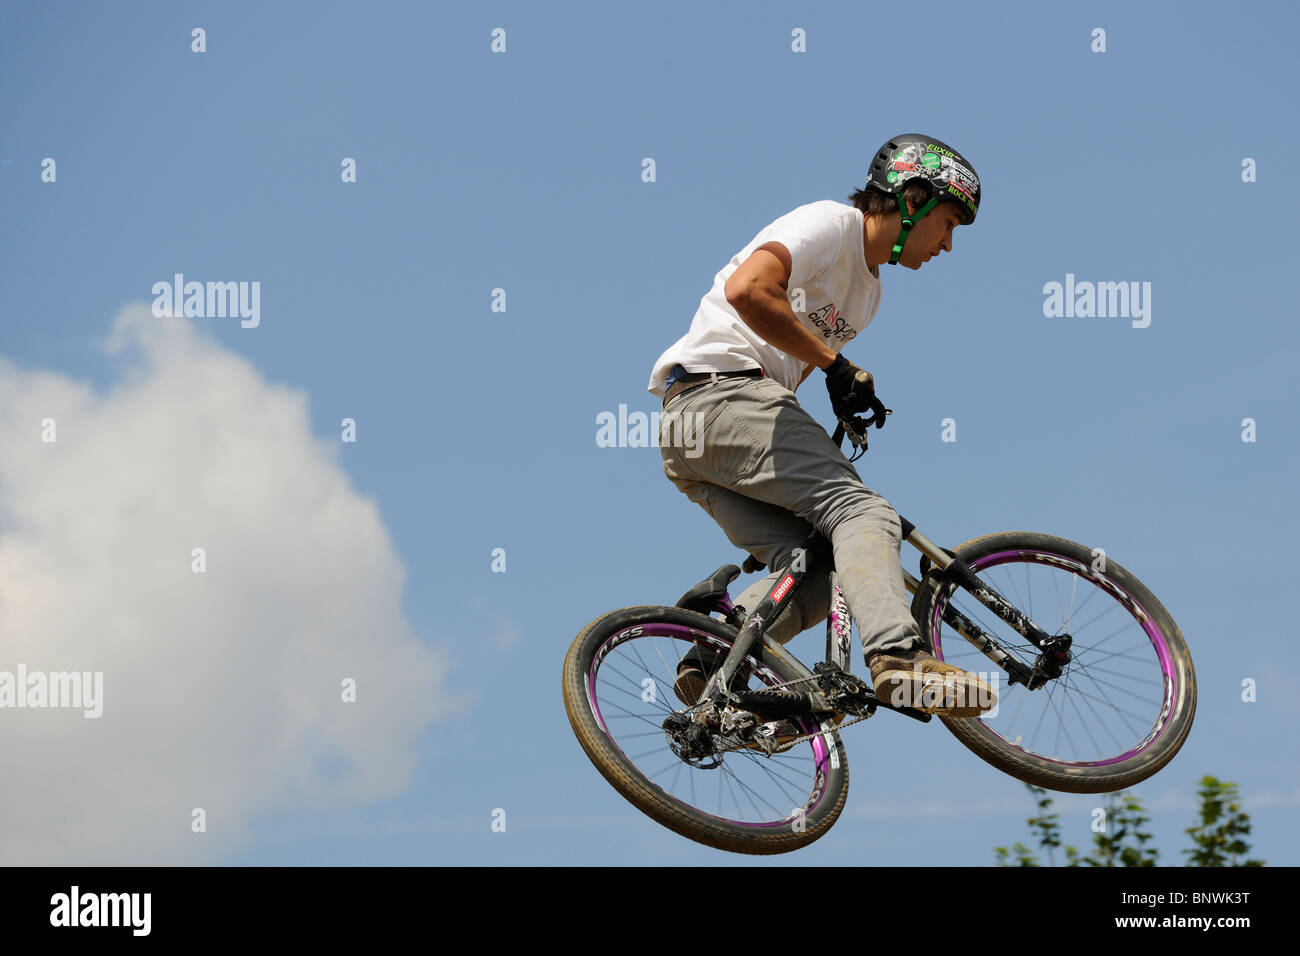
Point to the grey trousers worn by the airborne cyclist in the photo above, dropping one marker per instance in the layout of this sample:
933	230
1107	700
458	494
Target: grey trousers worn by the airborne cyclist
768	473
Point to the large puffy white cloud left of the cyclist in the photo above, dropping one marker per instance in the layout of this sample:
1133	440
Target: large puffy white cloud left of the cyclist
222	690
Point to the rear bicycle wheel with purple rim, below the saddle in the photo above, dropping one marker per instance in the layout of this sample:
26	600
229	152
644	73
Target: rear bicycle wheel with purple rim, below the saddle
618	693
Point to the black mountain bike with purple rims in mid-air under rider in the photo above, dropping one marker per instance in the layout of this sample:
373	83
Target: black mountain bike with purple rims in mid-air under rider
769	760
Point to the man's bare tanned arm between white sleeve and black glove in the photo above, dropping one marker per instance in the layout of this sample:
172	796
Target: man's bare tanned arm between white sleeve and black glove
757	291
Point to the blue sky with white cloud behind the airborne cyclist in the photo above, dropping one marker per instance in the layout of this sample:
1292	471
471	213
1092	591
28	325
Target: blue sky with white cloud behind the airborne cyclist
476	429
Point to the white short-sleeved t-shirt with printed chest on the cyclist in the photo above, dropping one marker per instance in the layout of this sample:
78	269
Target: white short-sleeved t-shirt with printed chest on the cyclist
840	299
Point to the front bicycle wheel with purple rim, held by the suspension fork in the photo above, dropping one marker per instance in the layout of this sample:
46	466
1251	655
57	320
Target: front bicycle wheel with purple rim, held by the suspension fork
1125	703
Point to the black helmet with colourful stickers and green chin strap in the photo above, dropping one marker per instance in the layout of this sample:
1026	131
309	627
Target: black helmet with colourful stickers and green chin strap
948	176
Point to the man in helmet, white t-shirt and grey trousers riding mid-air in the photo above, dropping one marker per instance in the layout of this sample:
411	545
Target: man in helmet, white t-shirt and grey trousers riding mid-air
760	465
